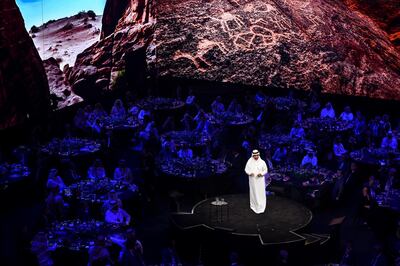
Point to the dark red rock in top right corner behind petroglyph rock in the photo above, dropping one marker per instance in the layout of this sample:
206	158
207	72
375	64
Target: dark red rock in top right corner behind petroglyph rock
386	13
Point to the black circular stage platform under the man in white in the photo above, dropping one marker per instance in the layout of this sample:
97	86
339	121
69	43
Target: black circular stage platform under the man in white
277	225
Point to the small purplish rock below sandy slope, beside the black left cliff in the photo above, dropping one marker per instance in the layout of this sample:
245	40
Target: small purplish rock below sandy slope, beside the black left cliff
60	90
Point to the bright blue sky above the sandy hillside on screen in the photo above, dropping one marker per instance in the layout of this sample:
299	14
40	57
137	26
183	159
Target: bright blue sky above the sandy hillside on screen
37	12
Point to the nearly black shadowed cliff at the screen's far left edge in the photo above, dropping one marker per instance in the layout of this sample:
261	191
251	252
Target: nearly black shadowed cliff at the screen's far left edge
24	90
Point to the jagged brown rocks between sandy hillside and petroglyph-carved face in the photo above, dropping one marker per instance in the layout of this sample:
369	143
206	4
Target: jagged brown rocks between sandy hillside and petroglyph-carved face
126	35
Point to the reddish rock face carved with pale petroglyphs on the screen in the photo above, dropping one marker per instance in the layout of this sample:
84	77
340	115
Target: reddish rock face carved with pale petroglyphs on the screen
284	43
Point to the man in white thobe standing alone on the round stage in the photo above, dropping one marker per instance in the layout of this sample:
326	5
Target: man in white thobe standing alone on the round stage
256	169
